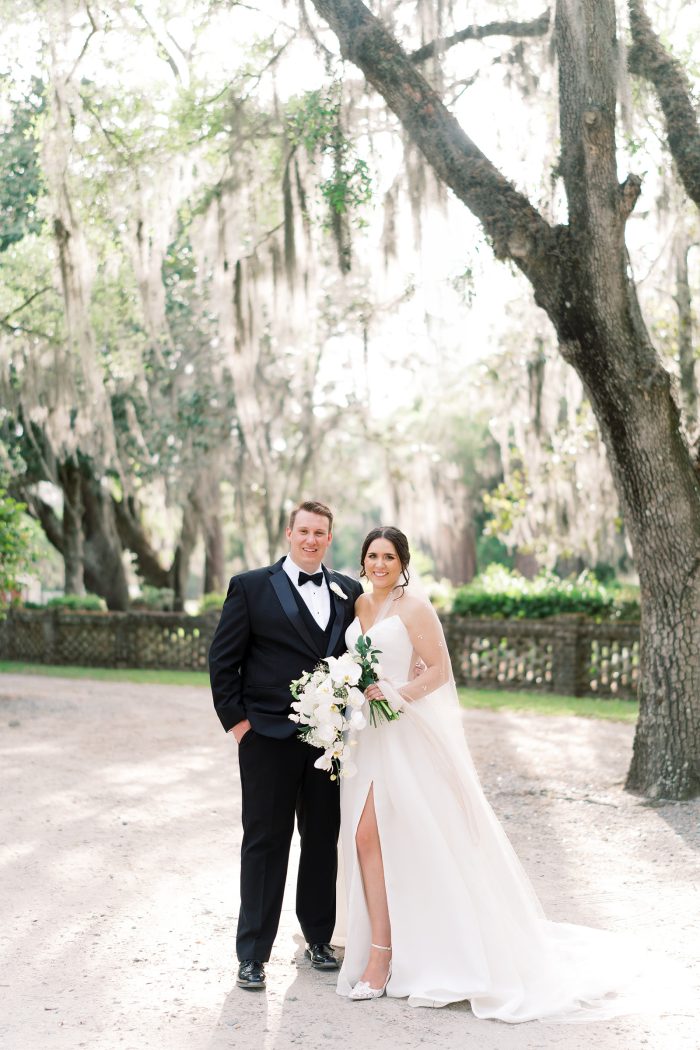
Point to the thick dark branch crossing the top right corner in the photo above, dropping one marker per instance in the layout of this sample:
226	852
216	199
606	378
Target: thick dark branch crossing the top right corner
649	59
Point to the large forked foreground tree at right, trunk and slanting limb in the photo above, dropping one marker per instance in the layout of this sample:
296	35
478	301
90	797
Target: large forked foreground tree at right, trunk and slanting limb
580	276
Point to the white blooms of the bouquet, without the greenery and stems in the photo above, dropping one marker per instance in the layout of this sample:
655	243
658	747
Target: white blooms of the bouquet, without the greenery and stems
327	705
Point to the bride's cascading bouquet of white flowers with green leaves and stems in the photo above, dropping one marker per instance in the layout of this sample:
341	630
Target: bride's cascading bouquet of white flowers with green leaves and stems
328	704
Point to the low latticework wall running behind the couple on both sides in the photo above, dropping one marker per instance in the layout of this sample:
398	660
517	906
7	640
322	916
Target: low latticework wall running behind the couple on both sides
566	655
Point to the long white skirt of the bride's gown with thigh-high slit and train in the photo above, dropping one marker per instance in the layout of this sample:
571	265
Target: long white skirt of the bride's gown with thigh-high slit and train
466	923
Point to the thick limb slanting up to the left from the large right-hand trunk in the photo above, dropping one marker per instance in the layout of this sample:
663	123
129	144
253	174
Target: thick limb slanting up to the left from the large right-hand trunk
518	230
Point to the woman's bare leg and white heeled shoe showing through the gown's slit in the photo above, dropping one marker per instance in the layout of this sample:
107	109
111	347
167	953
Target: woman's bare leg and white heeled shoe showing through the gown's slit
370	857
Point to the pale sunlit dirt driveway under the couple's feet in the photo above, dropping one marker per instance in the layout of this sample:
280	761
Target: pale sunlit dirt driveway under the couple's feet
119	857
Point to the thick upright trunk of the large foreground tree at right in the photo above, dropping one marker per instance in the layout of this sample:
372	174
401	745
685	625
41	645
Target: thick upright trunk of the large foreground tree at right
602	333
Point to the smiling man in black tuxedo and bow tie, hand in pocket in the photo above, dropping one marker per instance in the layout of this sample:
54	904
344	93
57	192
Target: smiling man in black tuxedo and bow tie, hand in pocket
277	623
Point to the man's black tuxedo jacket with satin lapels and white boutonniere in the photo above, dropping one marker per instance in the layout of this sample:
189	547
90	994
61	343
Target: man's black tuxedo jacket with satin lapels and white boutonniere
262	644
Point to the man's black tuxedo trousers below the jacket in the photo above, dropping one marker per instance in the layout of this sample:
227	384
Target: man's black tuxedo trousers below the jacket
279	781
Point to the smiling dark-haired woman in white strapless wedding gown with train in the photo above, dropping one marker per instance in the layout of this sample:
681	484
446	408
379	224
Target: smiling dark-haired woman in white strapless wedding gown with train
439	908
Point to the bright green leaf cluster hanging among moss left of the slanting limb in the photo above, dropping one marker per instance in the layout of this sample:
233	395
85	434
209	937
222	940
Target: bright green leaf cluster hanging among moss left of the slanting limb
315	123
